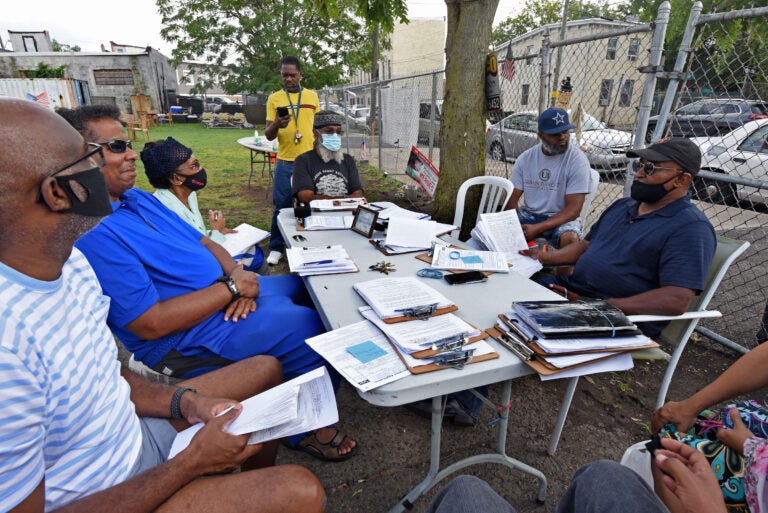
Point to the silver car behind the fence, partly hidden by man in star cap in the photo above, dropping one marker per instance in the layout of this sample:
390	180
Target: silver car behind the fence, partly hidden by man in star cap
605	147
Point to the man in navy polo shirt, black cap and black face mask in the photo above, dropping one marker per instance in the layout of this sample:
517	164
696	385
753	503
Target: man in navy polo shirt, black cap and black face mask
647	254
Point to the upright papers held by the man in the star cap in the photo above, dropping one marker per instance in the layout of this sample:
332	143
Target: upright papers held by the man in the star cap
501	231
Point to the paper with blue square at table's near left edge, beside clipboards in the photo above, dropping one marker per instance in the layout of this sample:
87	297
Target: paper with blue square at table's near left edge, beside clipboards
362	373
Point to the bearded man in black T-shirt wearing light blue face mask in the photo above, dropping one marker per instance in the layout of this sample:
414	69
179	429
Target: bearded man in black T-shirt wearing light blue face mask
325	171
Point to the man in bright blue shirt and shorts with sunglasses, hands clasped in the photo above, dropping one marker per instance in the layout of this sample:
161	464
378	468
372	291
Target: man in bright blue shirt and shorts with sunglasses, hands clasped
178	301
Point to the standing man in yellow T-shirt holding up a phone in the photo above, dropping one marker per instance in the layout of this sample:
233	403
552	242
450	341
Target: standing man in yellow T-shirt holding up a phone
290	118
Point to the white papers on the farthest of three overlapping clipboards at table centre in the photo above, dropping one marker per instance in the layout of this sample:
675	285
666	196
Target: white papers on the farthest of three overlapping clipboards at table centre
388	295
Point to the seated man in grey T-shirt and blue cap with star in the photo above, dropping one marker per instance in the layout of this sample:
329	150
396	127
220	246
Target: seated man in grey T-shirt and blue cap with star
555	176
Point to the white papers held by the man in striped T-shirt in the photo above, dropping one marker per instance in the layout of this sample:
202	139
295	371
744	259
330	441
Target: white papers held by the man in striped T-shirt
312	406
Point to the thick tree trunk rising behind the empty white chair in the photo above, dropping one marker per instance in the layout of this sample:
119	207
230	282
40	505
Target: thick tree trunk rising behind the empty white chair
462	129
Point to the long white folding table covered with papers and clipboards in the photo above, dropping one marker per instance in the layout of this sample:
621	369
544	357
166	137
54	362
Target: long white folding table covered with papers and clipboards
479	304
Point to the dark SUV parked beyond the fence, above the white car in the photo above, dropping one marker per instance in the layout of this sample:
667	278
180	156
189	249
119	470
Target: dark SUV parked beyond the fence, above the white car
713	117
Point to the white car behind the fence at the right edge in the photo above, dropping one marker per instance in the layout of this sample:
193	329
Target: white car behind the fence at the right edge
741	153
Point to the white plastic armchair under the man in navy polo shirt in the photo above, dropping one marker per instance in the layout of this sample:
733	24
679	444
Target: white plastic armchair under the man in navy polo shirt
676	334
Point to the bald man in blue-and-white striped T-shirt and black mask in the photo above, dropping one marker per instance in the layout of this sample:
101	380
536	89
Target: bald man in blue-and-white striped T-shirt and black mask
78	436
